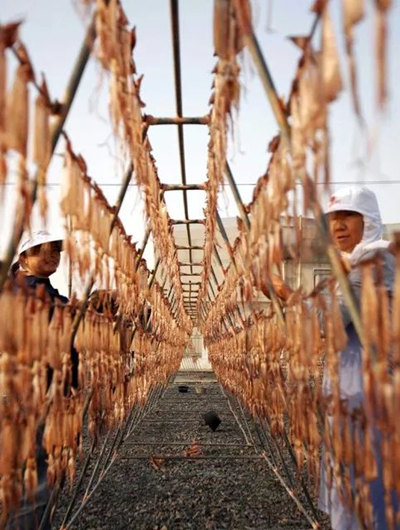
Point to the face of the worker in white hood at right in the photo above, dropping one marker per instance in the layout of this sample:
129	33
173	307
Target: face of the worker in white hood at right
346	229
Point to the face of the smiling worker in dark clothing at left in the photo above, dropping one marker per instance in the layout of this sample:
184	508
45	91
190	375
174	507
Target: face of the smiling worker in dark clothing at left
42	260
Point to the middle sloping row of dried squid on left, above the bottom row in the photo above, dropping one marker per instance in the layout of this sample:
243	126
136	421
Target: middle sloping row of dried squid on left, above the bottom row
130	293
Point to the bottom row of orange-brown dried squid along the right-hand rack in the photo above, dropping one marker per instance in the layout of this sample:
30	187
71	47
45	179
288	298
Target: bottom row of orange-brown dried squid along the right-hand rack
276	372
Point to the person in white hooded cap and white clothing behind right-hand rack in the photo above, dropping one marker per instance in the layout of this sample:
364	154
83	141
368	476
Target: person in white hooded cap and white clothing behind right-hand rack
355	227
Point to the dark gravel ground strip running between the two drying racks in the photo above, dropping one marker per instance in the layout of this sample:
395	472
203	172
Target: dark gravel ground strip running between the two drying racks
148	489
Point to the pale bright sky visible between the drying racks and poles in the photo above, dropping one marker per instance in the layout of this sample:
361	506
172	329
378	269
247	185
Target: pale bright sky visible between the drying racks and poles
53	32
